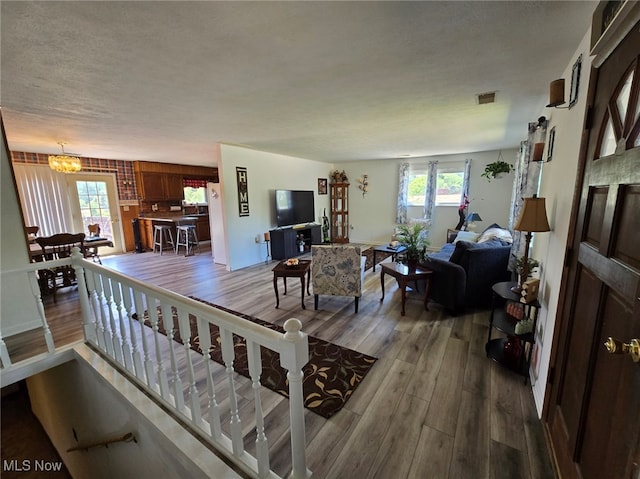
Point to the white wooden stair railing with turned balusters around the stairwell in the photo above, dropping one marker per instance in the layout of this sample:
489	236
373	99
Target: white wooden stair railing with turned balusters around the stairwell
114	308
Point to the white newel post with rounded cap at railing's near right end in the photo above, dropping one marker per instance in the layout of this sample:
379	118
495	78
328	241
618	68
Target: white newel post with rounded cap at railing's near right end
294	355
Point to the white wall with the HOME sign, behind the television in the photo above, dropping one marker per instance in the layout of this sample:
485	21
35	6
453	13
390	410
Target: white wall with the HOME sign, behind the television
266	172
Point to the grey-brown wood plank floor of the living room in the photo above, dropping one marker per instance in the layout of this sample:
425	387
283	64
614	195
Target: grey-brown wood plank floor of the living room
433	406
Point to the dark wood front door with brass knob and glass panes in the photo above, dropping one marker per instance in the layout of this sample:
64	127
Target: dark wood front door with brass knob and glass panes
593	414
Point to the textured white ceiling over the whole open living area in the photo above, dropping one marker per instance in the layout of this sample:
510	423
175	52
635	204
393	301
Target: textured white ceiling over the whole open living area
331	81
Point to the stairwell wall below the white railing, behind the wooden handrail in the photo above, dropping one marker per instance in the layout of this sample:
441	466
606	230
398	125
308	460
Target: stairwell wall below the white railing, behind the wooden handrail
90	397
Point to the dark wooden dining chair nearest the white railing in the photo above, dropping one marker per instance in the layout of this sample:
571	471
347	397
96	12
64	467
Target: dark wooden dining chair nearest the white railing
55	247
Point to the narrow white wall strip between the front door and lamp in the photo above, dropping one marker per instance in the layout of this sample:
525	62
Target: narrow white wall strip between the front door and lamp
557	186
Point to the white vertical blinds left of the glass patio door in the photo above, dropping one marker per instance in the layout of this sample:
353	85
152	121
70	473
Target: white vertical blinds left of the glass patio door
44	197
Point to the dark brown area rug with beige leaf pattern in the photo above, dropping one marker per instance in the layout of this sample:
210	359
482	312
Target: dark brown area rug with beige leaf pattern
330	377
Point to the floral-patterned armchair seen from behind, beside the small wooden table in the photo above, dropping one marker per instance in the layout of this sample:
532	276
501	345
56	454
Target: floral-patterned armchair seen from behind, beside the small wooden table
337	270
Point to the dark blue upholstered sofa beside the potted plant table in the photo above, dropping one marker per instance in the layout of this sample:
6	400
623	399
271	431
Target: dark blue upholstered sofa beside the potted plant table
464	273
